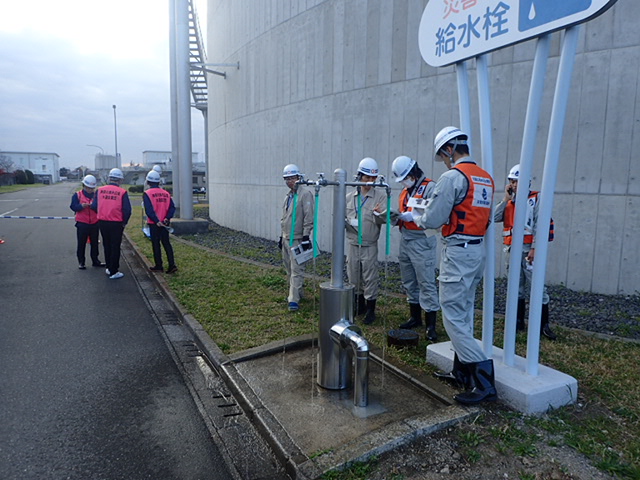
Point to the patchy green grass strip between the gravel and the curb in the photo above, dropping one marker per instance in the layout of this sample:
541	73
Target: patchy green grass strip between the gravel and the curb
242	305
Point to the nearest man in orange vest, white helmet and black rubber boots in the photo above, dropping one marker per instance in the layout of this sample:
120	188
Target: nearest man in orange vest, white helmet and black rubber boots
461	206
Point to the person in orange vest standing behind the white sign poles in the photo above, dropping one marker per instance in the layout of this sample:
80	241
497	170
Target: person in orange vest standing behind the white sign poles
505	213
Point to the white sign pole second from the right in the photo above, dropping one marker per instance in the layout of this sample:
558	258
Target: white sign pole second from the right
527	152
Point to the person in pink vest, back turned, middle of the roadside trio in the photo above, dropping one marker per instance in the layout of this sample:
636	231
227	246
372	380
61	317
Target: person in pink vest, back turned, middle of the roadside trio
114	210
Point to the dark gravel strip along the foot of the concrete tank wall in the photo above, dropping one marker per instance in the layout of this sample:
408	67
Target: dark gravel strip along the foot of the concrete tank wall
617	315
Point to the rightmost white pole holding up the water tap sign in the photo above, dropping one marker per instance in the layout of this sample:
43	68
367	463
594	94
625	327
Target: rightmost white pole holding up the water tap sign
552	157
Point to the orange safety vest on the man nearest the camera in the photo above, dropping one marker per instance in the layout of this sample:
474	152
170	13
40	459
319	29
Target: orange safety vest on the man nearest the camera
472	216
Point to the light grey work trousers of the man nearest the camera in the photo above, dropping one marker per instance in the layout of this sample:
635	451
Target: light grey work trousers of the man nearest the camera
461	270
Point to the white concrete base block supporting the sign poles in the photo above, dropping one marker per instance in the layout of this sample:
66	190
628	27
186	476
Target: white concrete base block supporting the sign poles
526	393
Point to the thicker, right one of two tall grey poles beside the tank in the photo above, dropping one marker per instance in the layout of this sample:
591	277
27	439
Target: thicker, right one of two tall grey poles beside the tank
184	108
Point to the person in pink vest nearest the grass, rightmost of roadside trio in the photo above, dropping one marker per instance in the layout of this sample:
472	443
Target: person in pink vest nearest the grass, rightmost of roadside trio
159	208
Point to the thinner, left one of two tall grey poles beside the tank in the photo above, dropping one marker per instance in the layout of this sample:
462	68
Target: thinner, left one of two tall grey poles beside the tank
173	83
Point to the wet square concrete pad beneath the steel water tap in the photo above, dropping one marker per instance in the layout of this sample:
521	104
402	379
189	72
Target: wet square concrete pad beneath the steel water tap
321	429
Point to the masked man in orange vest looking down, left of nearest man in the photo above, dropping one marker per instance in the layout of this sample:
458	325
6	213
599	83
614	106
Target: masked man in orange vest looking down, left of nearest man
417	253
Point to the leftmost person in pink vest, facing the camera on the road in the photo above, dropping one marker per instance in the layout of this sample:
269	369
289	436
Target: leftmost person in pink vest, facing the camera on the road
86	222
